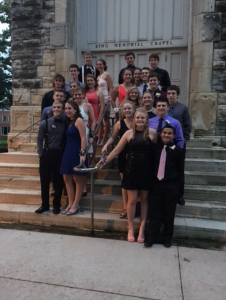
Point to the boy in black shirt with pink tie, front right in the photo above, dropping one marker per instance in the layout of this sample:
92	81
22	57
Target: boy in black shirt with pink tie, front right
165	187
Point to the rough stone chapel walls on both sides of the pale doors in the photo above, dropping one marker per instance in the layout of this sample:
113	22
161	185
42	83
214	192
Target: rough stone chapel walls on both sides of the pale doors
43	44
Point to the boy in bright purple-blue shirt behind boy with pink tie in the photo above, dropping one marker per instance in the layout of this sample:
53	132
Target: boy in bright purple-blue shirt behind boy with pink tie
162	119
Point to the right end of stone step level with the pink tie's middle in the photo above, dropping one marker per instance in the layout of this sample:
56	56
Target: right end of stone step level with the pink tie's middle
205	165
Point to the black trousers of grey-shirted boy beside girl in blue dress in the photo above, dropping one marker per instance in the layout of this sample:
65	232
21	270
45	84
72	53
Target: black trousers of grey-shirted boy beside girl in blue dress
49	167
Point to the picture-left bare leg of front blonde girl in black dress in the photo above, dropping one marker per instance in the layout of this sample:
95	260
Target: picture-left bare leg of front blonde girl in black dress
131	209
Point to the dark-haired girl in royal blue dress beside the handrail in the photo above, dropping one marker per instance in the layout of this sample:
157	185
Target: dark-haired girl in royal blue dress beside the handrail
74	152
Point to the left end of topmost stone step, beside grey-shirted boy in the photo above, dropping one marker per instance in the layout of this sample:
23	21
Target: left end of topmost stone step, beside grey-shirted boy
19	158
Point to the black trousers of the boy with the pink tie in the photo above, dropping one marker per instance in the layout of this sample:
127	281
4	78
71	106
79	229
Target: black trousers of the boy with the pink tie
162	207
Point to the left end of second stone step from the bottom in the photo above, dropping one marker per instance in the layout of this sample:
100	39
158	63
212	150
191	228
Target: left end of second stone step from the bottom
28	197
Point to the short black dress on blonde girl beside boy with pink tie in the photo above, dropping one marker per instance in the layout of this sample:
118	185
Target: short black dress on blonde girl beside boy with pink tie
138	170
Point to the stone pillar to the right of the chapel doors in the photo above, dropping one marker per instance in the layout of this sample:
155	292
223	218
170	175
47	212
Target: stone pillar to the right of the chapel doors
208	73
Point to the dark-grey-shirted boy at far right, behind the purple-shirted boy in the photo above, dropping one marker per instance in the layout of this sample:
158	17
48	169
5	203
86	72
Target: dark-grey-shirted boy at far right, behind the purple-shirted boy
180	112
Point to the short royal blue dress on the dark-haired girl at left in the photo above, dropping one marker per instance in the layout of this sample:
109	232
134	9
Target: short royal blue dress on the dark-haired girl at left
71	156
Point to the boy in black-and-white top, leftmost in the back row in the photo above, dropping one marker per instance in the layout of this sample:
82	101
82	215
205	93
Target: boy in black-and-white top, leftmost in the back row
88	68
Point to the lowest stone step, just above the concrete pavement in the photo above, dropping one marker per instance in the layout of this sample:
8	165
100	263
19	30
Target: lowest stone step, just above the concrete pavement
184	227
